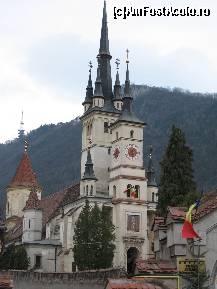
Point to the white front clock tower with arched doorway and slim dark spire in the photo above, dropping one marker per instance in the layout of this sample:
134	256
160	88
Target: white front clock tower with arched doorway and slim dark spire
127	184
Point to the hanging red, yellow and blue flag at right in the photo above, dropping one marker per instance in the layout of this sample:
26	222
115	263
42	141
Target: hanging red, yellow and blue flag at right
188	231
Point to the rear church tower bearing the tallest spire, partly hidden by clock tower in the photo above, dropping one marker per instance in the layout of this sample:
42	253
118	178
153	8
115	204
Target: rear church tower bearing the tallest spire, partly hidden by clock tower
99	114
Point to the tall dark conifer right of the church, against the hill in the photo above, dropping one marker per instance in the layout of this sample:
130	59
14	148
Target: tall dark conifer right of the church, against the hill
177	186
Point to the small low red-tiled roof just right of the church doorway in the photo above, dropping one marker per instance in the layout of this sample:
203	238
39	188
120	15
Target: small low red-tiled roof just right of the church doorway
155	266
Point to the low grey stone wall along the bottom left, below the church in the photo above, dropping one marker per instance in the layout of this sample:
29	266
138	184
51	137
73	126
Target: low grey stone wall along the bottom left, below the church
77	280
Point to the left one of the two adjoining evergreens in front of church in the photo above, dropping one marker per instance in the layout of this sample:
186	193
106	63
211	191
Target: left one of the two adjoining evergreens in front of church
82	239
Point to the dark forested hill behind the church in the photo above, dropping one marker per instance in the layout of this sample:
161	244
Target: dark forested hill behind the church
55	149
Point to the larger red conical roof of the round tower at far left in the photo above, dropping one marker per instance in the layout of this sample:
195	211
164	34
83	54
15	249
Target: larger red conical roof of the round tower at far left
24	175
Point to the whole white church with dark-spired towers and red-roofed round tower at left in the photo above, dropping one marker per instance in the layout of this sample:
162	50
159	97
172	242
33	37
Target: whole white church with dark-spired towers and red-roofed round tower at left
112	174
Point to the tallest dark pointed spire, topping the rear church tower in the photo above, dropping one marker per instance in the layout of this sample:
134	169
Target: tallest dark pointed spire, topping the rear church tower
105	57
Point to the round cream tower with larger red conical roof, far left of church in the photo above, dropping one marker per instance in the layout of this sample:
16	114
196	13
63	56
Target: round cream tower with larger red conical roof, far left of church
19	189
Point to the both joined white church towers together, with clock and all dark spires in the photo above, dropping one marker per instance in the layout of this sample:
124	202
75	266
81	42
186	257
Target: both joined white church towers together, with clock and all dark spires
112	166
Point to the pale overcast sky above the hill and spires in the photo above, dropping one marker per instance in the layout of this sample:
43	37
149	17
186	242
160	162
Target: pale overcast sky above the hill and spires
45	47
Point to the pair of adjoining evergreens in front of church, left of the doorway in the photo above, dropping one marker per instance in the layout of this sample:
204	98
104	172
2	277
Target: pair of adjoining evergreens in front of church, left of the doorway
93	239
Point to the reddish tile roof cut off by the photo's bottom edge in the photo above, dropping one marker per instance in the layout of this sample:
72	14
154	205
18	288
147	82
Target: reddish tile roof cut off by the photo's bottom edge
123	283
